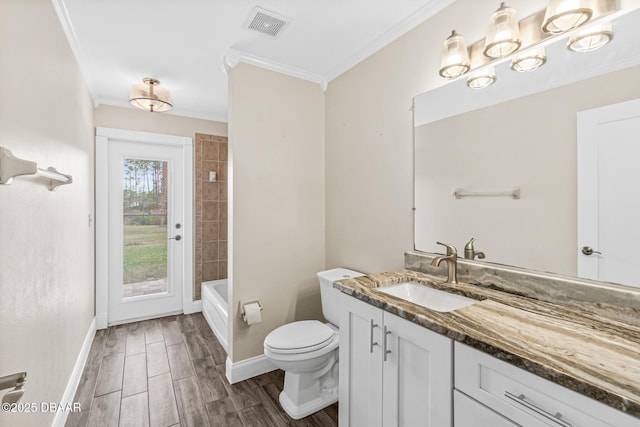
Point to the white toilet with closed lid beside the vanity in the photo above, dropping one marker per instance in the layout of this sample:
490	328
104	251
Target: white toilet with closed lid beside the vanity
308	353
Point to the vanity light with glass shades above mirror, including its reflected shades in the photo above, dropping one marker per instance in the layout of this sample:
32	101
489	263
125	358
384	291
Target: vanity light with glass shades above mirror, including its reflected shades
523	42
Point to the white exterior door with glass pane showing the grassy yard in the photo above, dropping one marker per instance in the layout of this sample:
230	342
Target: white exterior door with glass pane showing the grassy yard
143	226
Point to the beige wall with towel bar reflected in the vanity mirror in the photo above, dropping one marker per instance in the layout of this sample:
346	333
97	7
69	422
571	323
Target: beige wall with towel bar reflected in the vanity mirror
530	142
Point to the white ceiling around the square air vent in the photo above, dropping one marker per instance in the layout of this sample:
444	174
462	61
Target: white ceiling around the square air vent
183	43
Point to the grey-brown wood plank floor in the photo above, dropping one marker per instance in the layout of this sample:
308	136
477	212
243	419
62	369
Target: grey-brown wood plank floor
170	372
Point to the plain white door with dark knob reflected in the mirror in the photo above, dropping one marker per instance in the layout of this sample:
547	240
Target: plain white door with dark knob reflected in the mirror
609	193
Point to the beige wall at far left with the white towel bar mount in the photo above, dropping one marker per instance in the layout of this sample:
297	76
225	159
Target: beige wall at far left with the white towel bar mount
47	245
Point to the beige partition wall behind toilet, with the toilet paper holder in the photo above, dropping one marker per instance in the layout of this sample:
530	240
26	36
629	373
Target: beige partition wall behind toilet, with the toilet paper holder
276	164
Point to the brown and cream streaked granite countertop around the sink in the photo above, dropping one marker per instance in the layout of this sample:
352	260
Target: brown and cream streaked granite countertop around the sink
578	348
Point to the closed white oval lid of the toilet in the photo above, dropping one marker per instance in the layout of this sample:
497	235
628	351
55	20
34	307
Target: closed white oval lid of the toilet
302	336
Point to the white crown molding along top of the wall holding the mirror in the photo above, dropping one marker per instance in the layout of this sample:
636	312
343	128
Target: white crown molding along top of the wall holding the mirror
408	24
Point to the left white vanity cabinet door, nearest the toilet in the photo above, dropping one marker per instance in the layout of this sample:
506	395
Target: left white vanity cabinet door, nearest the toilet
360	398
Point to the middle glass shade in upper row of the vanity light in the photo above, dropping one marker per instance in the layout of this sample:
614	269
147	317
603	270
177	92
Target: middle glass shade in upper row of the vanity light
503	36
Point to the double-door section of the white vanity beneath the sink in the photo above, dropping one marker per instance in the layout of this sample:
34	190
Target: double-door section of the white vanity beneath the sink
392	372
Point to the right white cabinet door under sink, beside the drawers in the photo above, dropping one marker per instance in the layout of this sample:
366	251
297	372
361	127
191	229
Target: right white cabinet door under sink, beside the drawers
418	378
